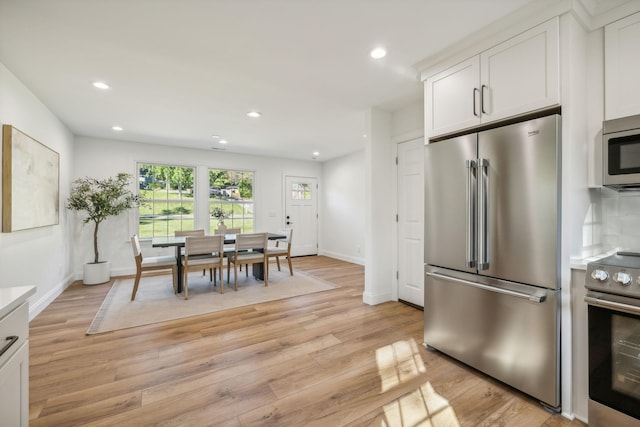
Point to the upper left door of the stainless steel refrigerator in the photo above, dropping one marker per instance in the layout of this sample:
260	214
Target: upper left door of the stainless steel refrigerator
449	221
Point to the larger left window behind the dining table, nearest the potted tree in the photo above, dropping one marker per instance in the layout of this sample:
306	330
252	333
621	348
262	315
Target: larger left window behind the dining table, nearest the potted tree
170	206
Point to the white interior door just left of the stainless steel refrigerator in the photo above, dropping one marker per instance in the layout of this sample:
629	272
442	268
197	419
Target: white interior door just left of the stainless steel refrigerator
411	222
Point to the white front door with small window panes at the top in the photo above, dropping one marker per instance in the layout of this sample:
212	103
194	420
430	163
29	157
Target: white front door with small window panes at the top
301	214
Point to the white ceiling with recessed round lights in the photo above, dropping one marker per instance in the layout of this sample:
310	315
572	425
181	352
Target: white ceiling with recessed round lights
183	70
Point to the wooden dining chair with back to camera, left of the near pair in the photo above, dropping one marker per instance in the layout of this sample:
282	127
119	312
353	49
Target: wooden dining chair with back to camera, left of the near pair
203	252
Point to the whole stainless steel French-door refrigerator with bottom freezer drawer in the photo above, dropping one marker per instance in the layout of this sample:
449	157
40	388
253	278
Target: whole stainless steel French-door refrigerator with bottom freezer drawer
492	245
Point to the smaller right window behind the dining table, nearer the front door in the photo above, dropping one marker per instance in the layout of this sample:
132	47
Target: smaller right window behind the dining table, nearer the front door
231	194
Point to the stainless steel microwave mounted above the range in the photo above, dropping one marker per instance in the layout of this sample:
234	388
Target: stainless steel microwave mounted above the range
621	153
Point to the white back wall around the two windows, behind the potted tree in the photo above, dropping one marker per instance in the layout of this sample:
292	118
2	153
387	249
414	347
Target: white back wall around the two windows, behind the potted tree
101	158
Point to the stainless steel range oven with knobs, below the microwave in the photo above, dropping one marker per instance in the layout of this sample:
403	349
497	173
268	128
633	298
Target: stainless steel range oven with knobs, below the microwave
613	300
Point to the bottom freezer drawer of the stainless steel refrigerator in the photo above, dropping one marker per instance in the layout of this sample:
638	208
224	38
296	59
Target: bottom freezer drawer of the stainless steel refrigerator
506	330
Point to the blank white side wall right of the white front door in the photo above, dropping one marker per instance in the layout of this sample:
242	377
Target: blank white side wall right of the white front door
343	214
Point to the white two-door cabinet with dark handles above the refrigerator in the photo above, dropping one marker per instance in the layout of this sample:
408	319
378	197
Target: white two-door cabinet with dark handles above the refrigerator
517	76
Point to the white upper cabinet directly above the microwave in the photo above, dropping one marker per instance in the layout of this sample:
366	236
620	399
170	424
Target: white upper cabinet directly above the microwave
622	67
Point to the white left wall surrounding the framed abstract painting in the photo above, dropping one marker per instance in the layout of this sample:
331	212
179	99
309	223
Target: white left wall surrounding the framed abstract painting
39	256
